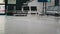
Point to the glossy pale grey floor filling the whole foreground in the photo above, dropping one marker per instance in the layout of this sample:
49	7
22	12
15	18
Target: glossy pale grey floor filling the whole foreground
31	24
